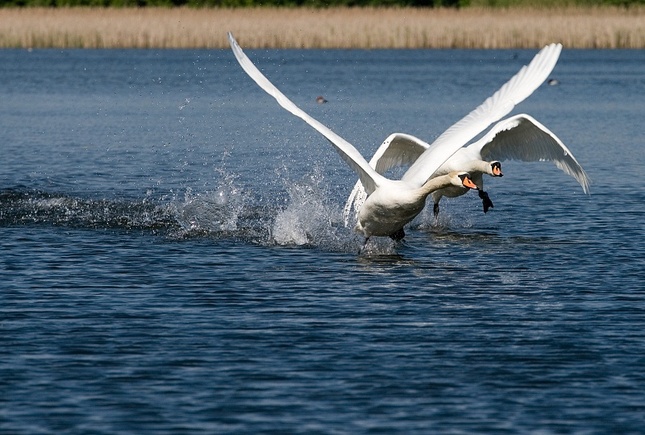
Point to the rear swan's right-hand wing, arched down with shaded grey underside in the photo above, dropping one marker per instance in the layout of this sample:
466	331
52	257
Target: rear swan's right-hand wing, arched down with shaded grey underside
521	137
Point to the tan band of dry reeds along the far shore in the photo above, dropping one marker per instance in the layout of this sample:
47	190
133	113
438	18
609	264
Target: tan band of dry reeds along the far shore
575	27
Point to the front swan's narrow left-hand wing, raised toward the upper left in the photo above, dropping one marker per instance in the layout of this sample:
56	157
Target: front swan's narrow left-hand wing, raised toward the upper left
368	176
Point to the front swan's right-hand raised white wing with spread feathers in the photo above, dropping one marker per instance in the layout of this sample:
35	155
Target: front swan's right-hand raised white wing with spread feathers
513	92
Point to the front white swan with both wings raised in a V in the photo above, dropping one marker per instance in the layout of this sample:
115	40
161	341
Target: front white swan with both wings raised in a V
391	204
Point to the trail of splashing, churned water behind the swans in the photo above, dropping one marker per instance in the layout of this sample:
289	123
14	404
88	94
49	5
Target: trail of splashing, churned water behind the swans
308	215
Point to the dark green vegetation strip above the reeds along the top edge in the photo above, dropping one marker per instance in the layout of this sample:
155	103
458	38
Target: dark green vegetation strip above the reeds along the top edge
317	3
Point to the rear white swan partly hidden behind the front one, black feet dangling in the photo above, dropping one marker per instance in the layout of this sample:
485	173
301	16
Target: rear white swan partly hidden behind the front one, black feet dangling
520	137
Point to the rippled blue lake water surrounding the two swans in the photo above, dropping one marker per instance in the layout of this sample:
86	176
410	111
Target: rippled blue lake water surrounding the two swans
174	259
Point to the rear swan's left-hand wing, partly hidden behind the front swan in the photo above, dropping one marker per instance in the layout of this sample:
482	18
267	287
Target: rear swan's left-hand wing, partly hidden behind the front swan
398	149
